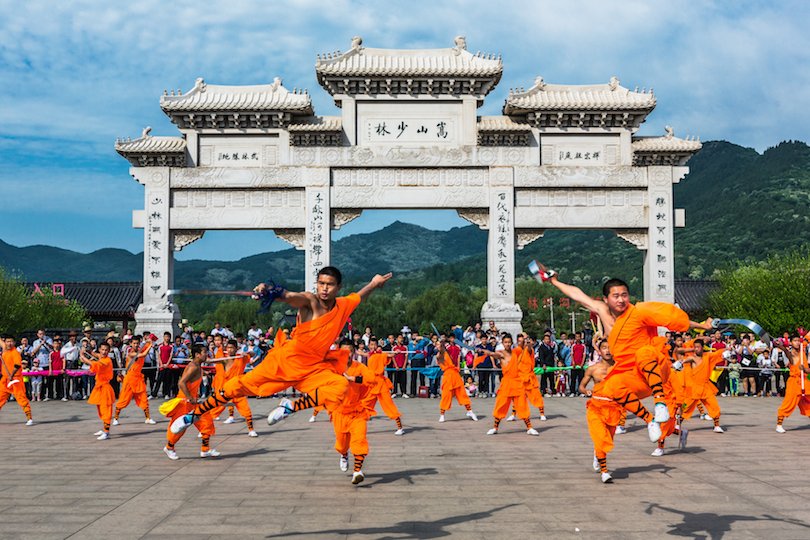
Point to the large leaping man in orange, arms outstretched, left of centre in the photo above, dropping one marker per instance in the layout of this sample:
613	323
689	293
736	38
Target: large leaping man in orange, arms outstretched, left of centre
300	360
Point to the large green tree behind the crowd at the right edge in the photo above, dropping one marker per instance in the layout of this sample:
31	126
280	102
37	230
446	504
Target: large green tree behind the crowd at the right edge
775	292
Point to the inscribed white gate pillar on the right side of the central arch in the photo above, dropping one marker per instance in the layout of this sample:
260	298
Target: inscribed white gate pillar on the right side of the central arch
500	306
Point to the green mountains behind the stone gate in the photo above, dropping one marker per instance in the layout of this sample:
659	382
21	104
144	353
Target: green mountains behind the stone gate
740	206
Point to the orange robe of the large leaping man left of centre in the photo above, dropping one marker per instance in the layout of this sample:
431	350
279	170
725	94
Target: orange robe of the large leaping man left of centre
299	361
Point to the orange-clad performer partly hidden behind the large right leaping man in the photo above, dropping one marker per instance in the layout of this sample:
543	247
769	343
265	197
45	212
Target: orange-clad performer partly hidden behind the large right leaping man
602	413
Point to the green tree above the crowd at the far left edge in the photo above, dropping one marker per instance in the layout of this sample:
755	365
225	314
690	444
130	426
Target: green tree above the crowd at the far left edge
22	311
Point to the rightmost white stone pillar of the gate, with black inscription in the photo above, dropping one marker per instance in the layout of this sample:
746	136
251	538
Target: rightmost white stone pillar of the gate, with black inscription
659	261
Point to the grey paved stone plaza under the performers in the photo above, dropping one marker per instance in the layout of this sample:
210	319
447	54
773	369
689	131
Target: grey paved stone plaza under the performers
440	480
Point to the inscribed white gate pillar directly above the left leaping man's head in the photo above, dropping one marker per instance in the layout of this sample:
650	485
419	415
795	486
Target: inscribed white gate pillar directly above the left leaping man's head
317	250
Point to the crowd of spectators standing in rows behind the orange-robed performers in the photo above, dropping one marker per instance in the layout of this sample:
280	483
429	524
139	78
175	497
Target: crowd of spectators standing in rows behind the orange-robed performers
751	367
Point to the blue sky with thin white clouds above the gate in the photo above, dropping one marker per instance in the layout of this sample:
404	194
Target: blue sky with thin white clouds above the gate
76	75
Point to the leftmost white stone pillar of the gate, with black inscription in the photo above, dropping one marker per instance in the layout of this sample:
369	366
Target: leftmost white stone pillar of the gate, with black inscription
156	314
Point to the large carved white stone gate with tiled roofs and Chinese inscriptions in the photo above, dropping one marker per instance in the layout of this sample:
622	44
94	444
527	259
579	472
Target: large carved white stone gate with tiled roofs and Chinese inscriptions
408	137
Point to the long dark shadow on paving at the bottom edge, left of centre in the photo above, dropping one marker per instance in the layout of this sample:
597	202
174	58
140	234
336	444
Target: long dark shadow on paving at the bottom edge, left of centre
403	530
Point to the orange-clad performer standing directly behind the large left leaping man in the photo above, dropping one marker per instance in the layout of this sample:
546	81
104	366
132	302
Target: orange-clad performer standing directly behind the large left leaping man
350	418
